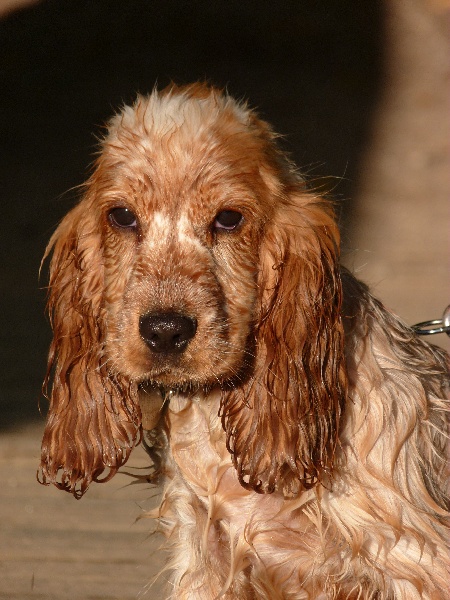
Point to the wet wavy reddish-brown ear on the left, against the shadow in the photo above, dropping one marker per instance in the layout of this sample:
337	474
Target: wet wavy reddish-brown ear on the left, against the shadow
93	422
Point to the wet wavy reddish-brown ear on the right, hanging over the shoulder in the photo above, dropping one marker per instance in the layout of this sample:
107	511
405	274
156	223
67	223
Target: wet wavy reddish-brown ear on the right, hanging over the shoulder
282	424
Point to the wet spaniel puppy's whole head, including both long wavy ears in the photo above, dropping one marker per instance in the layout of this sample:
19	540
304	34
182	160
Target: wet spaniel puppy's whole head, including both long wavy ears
196	258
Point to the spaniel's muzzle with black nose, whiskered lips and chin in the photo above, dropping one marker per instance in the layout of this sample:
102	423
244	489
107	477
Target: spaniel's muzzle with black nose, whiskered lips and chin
175	352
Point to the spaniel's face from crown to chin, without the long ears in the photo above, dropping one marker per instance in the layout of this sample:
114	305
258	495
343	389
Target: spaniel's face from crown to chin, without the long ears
182	195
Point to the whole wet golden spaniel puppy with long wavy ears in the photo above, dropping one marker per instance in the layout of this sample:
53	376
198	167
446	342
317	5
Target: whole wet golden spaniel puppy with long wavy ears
304	431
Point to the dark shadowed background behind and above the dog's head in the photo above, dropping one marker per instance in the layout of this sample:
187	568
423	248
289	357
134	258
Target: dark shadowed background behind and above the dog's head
312	68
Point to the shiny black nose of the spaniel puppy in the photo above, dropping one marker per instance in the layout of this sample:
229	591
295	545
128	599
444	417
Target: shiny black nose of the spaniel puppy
167	332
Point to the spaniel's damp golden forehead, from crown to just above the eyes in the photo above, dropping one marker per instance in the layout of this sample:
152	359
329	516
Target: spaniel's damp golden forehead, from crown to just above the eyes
165	147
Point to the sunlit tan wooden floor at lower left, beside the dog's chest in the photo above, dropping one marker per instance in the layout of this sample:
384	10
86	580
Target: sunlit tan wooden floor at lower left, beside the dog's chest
54	547
